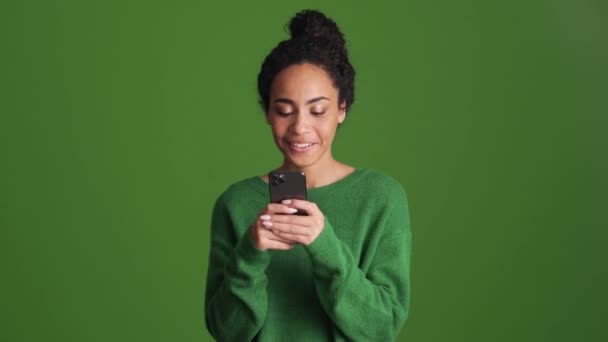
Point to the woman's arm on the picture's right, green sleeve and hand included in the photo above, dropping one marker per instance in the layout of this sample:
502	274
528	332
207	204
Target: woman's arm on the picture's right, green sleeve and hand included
364	304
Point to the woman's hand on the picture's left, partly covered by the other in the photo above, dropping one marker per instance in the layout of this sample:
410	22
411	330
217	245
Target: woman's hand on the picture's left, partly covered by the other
264	238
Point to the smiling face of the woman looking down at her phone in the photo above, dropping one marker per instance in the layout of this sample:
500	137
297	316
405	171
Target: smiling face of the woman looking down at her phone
304	113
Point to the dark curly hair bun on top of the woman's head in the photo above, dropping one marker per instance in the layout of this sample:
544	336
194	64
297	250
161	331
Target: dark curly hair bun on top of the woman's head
312	24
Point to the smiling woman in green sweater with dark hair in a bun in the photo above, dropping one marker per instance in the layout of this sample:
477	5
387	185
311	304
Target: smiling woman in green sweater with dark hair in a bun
340	273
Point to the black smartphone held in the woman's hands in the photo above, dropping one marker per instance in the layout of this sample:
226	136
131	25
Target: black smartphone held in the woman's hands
287	185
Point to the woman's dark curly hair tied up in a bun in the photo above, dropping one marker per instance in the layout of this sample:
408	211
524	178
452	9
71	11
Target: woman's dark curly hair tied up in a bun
315	39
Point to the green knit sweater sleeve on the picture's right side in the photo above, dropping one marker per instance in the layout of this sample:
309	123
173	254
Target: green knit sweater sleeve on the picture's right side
371	305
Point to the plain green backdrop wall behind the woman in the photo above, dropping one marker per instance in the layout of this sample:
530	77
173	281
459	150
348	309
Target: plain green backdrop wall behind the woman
122	121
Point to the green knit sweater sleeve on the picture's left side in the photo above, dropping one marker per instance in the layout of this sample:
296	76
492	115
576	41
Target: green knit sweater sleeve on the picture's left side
235	295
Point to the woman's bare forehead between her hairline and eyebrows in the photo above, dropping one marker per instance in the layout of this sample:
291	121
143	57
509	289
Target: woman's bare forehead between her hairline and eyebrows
301	82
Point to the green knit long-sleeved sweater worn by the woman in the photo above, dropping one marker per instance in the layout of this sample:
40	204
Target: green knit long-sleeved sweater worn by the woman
351	283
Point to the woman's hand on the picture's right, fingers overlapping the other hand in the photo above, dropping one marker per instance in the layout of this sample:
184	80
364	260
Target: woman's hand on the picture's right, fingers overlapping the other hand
297	228
